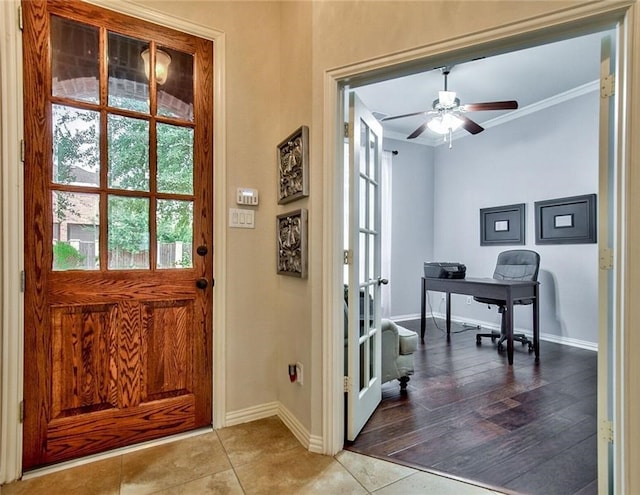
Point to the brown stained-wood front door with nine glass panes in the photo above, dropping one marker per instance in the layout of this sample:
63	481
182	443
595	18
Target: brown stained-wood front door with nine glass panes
118	231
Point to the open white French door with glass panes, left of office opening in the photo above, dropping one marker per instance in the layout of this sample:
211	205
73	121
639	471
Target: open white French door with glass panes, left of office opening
364	262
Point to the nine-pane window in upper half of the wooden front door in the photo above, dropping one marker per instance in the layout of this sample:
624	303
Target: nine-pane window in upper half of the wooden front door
84	126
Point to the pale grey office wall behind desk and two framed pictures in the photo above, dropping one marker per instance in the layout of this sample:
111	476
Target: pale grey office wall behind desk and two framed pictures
549	154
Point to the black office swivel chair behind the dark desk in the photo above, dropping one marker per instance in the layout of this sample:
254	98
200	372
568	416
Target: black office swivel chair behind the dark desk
517	264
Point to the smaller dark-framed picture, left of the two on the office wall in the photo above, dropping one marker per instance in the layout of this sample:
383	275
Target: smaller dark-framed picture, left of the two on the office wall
502	225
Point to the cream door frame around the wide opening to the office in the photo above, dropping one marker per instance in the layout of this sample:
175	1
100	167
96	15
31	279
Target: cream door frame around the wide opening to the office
592	16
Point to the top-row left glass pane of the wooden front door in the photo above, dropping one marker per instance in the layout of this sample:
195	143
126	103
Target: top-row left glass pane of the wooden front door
74	60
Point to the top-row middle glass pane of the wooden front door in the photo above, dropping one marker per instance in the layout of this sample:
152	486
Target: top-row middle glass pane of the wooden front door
128	84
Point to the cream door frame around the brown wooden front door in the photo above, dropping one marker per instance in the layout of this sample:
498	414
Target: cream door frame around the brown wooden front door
12	245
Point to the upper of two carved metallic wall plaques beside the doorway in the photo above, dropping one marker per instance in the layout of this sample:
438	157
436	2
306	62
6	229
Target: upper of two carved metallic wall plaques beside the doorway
293	166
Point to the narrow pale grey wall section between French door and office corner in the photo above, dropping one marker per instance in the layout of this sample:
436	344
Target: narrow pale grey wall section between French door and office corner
412	223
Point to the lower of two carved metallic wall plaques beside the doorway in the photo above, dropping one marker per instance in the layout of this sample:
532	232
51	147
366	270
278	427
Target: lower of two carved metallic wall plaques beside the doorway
291	229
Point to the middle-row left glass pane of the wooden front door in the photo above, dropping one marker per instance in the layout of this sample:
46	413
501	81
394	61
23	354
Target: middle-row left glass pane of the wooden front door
76	146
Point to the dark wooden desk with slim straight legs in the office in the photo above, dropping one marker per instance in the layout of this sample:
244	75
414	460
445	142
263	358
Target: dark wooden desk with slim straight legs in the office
505	290
